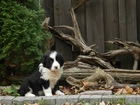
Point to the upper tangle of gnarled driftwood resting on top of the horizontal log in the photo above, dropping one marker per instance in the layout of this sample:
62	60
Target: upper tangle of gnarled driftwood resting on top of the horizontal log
89	55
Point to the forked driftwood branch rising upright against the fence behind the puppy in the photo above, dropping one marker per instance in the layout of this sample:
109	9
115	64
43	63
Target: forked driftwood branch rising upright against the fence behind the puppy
75	39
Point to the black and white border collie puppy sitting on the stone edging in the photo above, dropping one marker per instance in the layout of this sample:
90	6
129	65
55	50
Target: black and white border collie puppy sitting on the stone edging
45	80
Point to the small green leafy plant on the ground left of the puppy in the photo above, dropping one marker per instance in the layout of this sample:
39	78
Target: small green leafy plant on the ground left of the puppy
11	90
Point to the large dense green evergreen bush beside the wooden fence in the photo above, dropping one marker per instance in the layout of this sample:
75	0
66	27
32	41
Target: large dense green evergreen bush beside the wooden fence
22	38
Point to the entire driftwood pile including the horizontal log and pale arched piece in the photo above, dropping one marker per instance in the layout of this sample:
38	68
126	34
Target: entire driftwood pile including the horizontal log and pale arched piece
89	59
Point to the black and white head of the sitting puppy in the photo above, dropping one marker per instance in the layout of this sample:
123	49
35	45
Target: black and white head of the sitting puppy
52	60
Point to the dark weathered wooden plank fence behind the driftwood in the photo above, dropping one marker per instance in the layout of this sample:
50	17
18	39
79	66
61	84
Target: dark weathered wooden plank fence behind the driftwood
99	21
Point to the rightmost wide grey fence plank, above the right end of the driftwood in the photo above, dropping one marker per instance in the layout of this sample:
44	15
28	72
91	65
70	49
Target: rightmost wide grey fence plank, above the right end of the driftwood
131	20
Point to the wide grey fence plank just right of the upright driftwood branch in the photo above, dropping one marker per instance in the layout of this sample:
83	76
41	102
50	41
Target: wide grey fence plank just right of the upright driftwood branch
95	26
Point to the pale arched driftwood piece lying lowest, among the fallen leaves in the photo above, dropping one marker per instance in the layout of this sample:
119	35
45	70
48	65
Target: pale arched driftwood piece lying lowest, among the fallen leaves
110	82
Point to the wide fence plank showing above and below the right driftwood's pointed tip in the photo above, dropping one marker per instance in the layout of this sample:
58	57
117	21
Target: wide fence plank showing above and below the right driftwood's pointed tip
110	21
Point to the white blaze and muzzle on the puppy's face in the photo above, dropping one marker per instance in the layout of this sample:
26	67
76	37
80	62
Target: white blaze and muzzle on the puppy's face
55	64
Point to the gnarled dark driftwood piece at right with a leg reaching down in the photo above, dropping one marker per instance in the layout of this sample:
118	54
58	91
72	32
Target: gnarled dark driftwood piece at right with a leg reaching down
129	48
